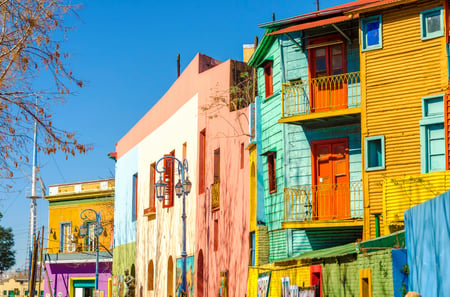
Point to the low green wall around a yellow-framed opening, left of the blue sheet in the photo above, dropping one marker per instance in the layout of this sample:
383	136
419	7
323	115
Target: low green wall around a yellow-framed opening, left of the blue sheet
342	279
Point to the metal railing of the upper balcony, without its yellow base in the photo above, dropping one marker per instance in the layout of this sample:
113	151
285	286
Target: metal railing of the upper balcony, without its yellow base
320	94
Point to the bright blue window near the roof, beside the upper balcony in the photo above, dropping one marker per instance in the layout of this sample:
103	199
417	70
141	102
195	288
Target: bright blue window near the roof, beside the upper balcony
371	37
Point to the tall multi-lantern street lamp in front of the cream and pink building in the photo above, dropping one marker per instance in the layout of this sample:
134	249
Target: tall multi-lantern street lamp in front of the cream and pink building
182	188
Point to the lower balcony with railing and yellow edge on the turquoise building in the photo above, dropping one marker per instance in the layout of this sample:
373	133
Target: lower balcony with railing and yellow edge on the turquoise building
325	205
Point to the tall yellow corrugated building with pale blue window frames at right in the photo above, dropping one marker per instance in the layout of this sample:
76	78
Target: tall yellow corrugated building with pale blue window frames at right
404	82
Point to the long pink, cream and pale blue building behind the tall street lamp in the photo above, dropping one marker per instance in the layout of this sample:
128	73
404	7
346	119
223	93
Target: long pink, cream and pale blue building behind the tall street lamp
200	121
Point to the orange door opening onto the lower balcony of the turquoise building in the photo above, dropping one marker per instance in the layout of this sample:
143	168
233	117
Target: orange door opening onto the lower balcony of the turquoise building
331	195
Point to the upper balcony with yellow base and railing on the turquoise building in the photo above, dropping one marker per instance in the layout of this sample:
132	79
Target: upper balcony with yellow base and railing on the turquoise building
327	100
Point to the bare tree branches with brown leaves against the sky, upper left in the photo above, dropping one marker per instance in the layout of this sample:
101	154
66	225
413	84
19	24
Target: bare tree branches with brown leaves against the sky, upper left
30	39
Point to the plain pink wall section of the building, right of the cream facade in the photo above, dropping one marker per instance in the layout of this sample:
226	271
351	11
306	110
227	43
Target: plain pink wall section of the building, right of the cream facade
222	245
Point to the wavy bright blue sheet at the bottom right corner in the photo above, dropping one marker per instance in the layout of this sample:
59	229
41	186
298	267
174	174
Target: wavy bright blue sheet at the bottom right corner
427	229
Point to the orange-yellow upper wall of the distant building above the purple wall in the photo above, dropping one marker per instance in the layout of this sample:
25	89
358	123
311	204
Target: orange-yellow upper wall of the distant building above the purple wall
69	211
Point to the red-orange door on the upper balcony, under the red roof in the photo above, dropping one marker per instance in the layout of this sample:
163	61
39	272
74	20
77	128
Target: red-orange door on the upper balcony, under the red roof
328	84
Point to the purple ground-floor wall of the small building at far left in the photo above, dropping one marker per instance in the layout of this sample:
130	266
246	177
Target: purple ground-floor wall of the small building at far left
60	274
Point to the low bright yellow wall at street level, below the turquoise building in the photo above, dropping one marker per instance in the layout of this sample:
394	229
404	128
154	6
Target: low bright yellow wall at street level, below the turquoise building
298	275
